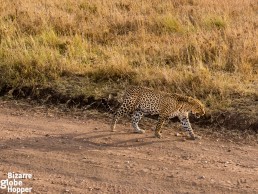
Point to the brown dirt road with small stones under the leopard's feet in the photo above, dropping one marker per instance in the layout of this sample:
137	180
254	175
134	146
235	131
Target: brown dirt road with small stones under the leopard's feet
67	153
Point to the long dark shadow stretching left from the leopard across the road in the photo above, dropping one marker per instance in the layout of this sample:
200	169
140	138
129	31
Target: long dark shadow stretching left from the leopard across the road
72	142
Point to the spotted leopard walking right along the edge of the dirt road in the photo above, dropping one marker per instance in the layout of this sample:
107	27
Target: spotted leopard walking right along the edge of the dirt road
139	101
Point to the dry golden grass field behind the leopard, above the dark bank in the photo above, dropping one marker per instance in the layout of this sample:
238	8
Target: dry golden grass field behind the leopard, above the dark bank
201	48
